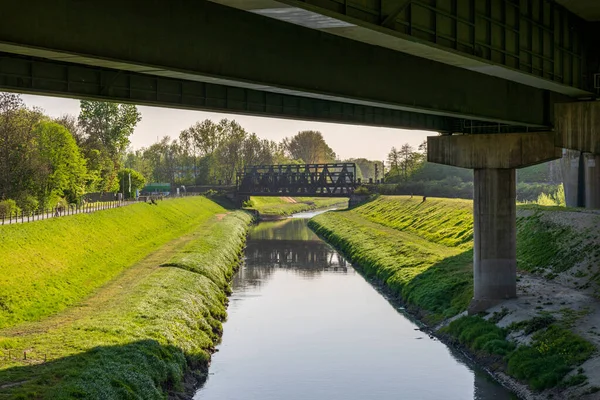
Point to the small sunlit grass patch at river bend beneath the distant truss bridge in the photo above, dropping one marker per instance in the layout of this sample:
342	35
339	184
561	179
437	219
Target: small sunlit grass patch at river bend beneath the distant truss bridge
284	206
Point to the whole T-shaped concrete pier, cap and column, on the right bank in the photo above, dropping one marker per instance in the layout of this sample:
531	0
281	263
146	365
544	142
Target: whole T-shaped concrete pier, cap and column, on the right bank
494	159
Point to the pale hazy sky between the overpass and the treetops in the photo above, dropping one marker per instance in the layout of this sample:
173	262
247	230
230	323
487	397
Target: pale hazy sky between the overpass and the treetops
348	141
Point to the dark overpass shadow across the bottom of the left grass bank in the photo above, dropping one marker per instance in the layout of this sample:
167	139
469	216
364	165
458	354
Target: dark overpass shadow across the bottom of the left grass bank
143	368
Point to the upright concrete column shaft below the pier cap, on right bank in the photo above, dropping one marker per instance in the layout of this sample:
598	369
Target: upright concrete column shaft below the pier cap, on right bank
495	237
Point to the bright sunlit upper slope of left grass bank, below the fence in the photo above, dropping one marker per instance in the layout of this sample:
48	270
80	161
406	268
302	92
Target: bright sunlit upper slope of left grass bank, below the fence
49	265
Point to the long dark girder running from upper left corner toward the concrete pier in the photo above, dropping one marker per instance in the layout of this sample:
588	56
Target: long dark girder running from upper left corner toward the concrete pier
206	42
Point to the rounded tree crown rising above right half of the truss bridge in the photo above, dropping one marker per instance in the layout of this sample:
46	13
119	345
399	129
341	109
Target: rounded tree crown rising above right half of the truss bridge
310	147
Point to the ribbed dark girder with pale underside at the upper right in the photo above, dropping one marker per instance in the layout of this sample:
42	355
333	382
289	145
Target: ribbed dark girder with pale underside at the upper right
537	43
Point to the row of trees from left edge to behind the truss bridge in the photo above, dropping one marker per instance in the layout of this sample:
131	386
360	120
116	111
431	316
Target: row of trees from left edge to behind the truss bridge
45	162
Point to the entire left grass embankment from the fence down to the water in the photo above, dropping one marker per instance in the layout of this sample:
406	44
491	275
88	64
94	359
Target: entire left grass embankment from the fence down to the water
109	322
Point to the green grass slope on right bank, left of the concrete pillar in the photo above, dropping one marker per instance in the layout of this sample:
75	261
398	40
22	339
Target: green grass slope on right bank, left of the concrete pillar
417	249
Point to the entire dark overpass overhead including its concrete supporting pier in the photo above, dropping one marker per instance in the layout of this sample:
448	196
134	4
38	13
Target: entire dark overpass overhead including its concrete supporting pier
506	81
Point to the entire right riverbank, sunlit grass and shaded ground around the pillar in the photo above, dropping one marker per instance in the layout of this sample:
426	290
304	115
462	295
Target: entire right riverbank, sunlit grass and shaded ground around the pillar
394	254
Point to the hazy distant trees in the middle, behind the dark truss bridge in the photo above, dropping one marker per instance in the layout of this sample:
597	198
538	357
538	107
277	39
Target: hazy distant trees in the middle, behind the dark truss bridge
209	152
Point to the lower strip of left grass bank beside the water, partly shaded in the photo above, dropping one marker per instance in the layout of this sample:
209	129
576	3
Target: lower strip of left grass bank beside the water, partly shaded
142	333
